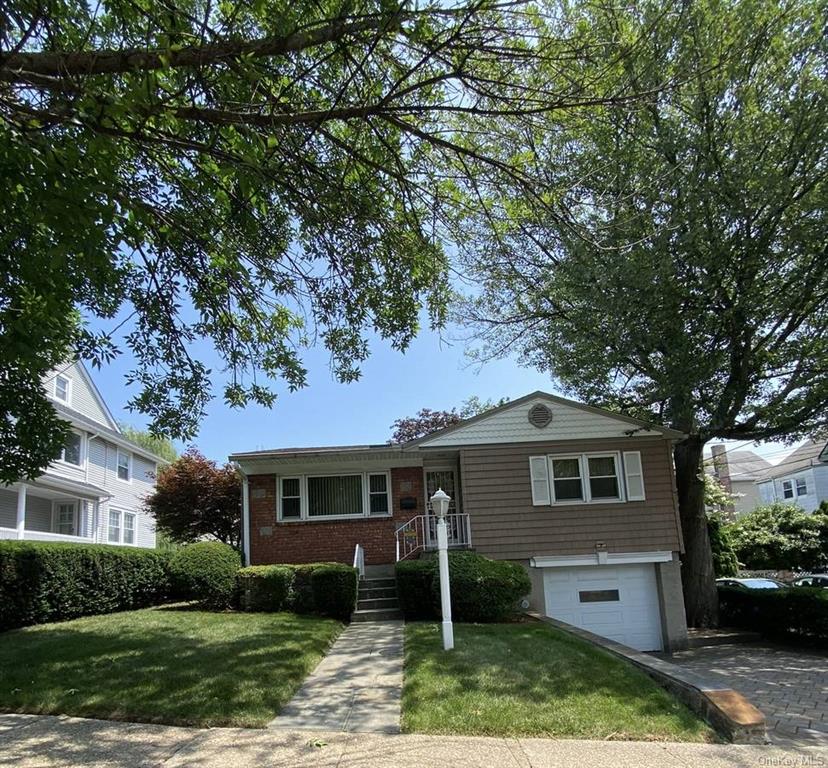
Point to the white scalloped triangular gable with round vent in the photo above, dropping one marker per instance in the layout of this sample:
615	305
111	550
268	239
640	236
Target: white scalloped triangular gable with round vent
570	420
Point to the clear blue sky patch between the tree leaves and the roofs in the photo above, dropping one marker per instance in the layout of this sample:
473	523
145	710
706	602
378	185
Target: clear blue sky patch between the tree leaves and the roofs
432	373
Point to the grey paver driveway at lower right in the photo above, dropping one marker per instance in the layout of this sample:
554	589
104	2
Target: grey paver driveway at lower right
789	686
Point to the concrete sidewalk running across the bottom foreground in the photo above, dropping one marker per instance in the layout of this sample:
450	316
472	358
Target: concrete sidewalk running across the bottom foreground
33	741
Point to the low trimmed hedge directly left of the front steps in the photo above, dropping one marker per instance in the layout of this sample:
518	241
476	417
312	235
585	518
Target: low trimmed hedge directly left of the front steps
329	589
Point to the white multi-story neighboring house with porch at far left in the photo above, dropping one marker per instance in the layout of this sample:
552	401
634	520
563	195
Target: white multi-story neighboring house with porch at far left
93	491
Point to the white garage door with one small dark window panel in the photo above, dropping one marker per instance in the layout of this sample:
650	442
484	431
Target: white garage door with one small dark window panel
615	601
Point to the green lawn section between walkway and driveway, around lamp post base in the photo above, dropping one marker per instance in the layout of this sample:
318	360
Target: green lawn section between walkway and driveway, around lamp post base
533	680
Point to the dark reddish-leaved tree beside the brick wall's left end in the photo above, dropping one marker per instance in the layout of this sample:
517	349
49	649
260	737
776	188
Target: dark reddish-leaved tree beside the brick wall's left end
195	499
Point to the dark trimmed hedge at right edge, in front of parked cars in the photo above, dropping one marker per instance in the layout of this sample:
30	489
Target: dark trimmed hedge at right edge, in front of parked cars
777	613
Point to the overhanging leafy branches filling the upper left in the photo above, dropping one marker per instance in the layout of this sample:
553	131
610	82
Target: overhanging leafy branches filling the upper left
260	175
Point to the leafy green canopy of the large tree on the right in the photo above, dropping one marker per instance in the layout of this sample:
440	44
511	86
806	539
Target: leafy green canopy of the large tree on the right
679	268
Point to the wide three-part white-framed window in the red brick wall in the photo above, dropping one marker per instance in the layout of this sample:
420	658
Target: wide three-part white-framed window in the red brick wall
315	497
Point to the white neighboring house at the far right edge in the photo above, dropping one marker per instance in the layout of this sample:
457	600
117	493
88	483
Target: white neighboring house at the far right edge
800	478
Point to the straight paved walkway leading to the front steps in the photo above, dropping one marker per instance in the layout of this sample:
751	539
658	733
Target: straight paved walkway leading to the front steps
356	688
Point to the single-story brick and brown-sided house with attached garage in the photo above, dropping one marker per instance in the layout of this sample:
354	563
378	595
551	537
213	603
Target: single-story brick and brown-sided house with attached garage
583	498
